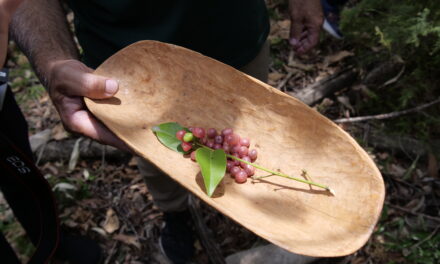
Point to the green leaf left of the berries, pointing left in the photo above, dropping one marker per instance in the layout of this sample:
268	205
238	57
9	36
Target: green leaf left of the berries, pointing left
166	133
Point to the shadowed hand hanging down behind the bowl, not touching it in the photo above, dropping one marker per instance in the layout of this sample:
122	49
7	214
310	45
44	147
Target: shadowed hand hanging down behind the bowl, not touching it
306	21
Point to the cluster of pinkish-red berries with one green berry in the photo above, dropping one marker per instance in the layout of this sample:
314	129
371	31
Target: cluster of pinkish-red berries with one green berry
227	140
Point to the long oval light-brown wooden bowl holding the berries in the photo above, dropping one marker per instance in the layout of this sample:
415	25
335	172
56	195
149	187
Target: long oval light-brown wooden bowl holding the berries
165	83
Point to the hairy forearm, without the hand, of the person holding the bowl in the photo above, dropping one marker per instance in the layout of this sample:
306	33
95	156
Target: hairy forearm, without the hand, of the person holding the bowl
40	29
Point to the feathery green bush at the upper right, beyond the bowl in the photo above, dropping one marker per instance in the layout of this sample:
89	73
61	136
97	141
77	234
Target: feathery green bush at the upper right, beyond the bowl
409	30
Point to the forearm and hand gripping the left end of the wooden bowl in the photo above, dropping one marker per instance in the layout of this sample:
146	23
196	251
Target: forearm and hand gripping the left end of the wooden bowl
40	29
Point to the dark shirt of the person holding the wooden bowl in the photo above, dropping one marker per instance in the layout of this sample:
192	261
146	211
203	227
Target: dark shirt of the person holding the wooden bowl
232	31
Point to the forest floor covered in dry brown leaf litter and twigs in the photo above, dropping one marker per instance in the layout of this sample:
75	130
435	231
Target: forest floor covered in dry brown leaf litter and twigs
109	202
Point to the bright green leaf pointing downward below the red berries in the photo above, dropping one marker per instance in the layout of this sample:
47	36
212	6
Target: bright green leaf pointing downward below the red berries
213	166
